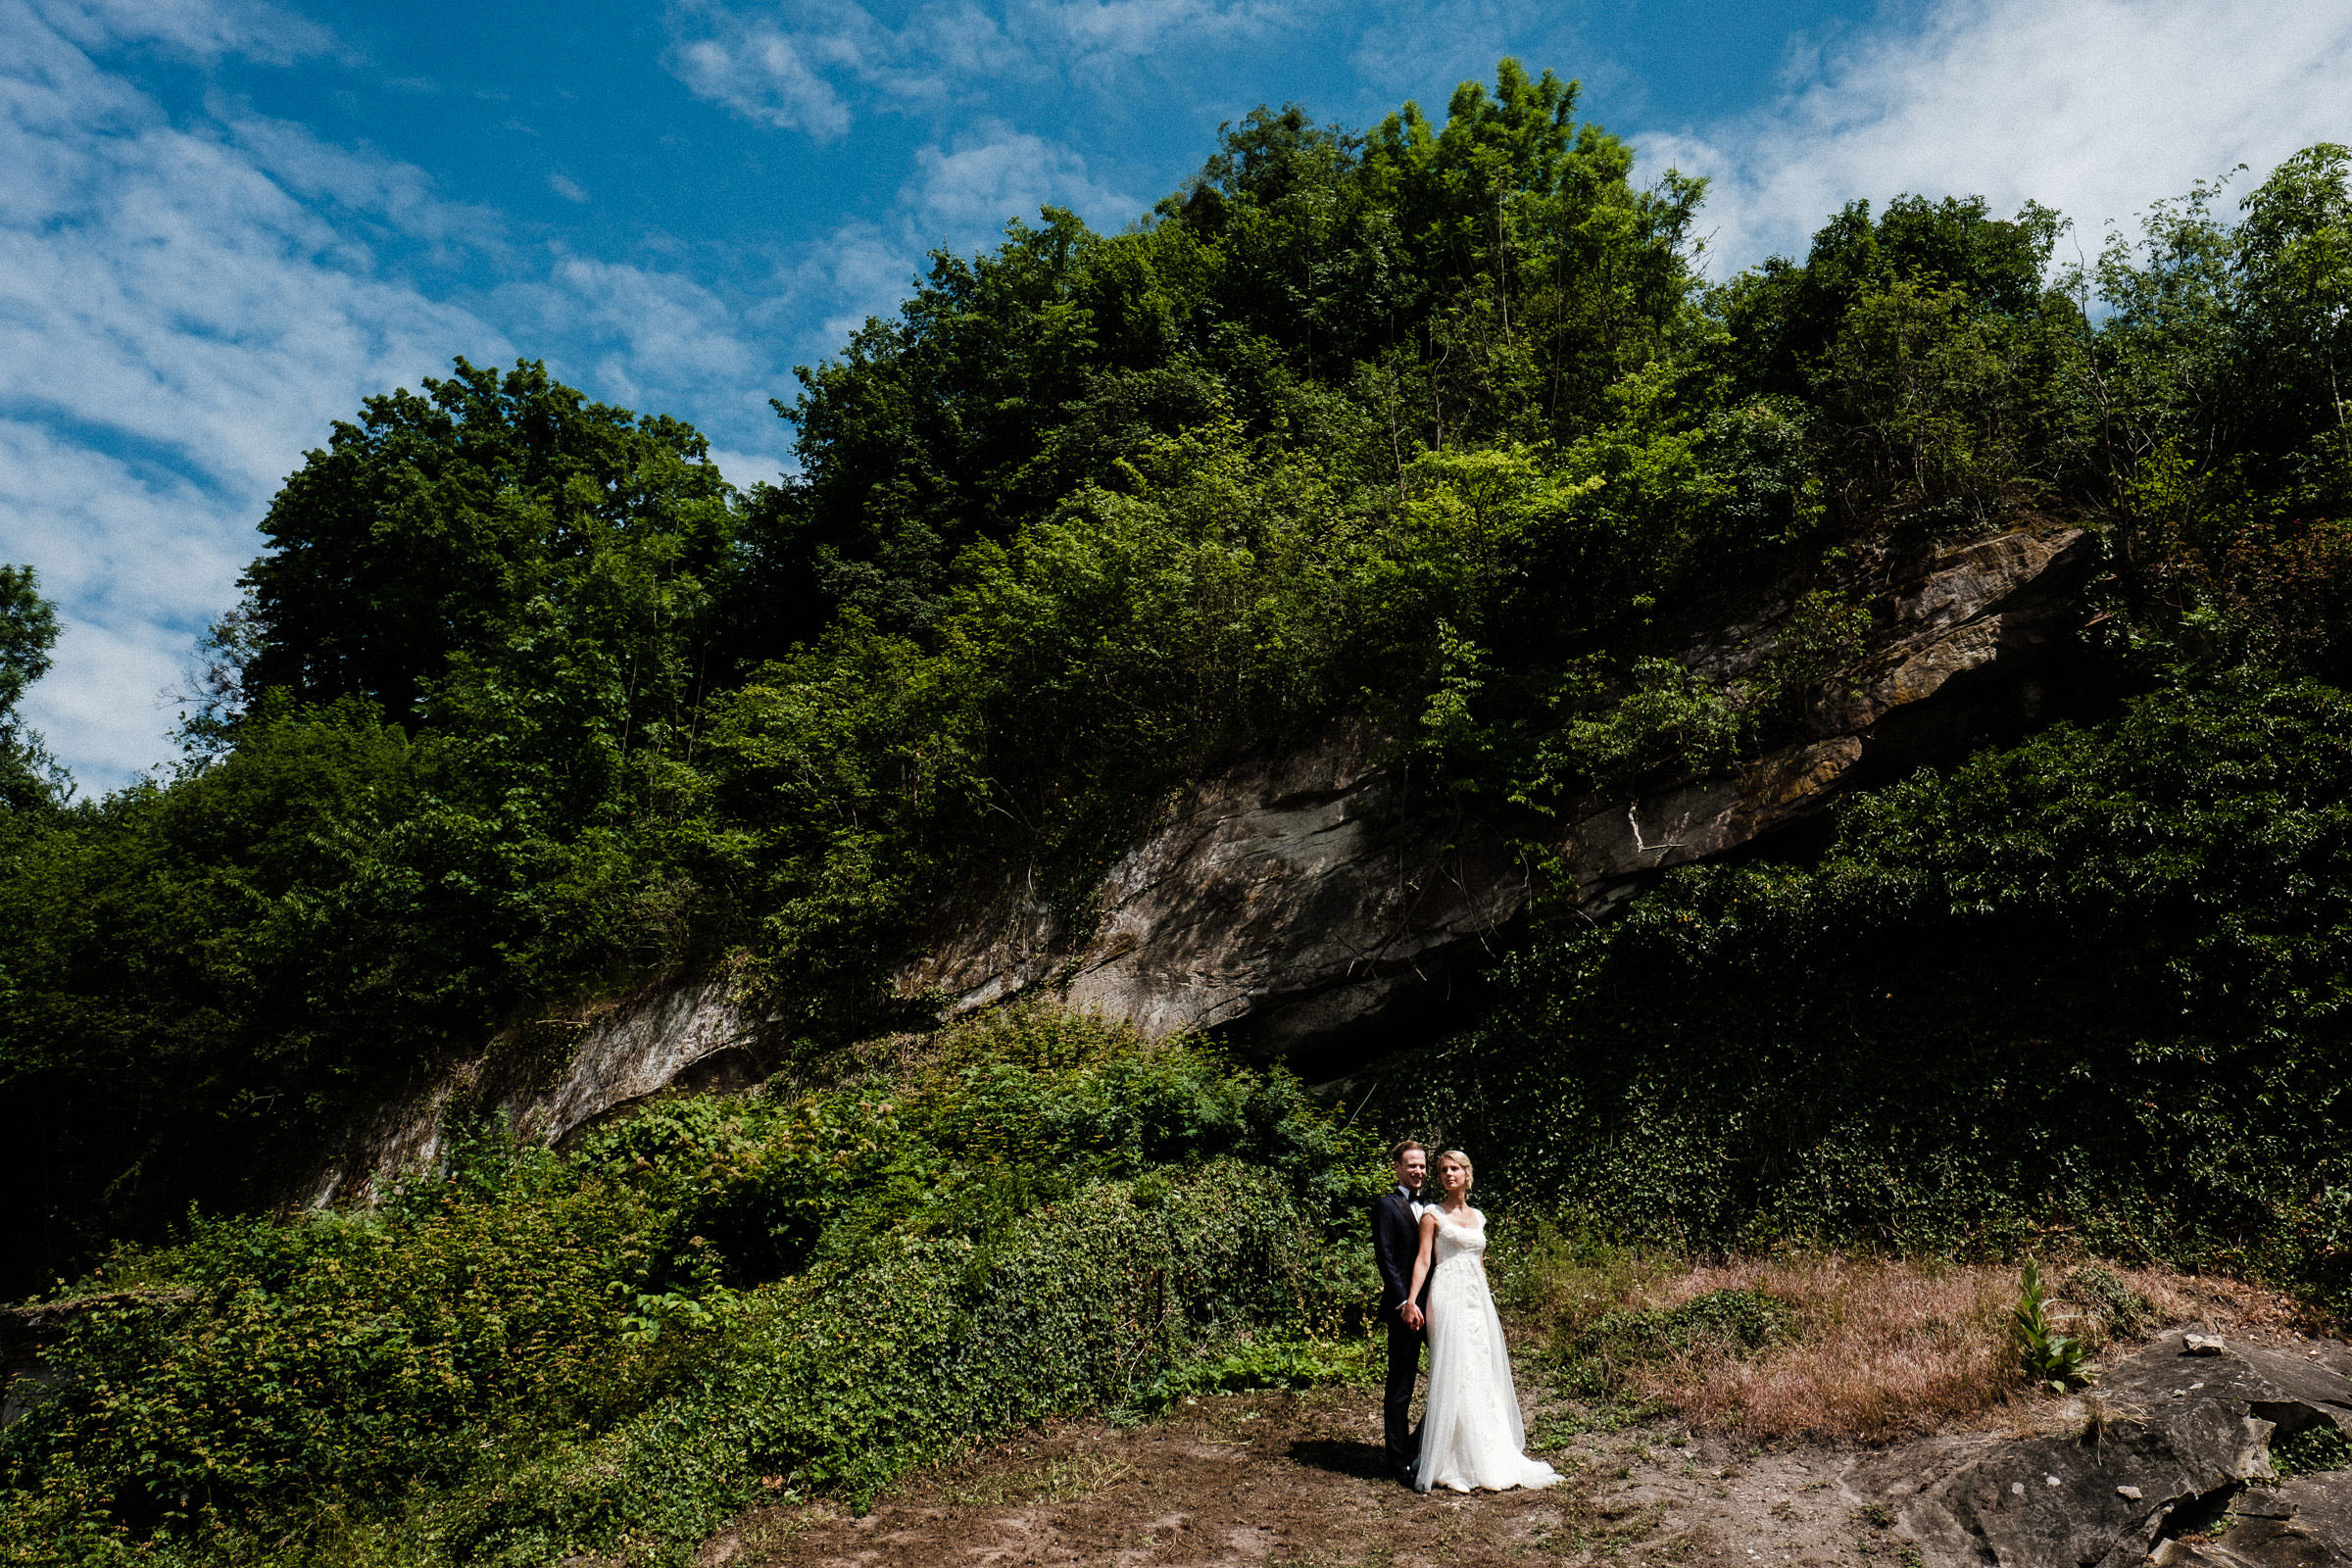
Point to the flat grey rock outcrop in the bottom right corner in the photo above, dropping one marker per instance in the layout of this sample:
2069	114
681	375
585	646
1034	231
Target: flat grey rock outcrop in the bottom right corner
2167	1449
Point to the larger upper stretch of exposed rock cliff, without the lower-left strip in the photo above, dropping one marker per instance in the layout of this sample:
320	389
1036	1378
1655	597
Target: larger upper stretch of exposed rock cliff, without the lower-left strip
1299	899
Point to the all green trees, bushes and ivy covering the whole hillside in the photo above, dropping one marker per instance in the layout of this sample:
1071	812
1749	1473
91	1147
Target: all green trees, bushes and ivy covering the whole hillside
528	709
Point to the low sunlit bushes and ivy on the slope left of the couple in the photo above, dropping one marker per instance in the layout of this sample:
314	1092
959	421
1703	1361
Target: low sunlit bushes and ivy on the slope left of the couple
535	1355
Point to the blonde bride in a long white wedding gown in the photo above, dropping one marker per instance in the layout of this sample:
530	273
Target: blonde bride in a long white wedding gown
1471	1433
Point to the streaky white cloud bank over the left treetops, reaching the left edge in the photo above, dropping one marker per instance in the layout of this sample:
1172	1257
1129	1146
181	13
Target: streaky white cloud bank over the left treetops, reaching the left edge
185	311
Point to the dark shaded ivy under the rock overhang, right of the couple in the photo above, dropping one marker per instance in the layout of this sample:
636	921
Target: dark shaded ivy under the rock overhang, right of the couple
2087	989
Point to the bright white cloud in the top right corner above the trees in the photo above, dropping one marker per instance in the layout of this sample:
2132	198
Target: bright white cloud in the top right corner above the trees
2090	107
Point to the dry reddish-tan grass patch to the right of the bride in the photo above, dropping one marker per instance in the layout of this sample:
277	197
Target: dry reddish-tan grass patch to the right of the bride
1869	1348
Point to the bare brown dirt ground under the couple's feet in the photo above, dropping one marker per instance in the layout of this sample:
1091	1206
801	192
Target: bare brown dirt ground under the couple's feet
1297	1482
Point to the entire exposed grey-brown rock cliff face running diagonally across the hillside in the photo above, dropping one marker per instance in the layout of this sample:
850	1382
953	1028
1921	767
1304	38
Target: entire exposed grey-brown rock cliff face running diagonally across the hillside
1302	897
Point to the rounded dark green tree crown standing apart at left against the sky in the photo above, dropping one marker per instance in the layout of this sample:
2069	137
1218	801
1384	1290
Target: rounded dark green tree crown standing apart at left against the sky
446	523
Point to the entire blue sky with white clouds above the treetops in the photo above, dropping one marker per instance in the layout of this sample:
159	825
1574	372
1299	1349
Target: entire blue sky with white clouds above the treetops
227	222
